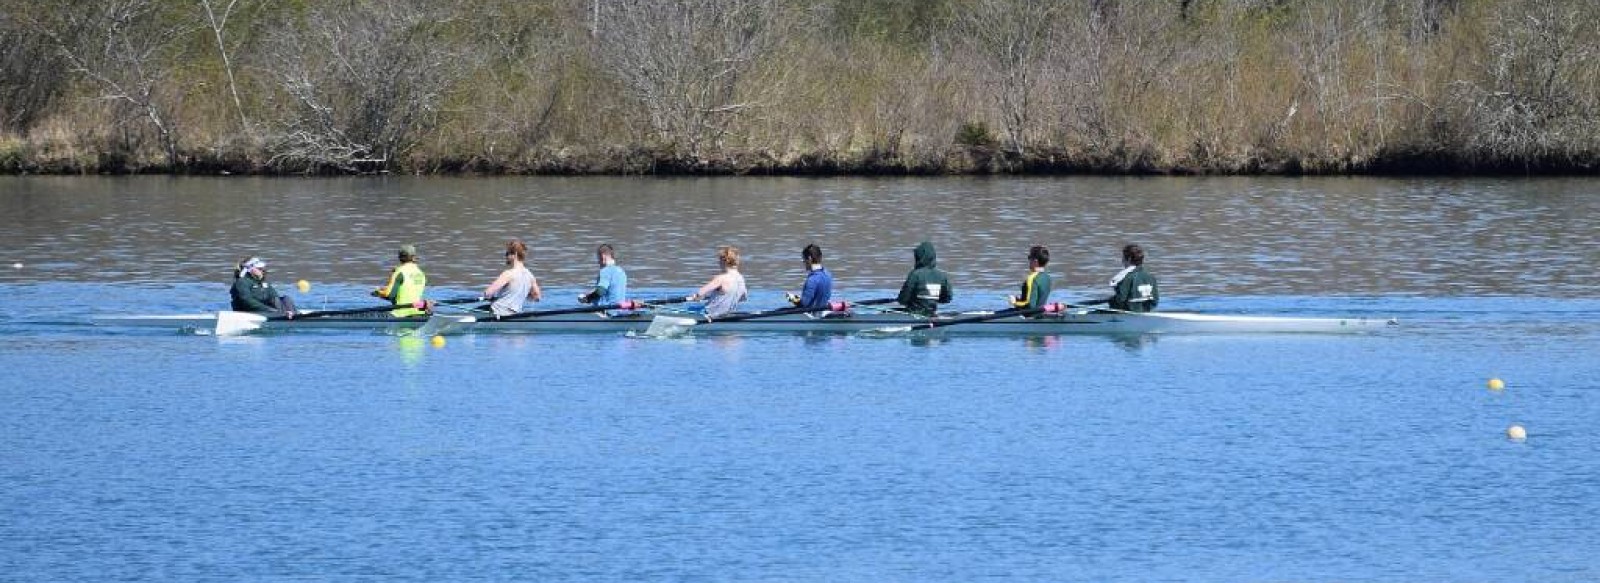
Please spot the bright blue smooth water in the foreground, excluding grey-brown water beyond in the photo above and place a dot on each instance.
(158, 456)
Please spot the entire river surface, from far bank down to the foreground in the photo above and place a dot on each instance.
(161, 456)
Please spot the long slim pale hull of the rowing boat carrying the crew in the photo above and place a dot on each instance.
(1070, 323)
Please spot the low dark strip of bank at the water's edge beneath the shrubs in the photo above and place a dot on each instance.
(954, 163)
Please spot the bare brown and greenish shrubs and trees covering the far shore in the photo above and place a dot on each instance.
(801, 87)
